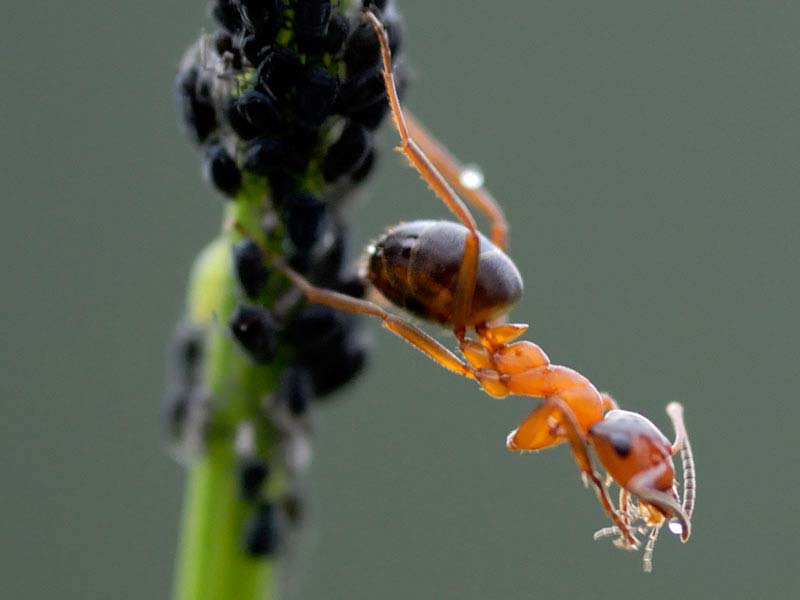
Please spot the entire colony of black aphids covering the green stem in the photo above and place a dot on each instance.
(282, 99)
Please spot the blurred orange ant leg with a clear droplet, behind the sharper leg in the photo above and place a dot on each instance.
(451, 170)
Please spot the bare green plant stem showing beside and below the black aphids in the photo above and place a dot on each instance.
(212, 563)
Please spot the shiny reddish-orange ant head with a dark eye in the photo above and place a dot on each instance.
(628, 445)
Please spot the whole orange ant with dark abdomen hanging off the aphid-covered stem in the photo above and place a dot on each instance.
(451, 274)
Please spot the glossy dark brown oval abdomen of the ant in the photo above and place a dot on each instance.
(415, 266)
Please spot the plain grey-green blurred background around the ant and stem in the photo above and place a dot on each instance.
(647, 154)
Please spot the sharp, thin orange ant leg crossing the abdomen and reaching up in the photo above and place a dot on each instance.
(467, 273)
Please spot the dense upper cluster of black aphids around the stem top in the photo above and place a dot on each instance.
(278, 83)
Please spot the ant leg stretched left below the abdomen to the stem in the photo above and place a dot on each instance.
(413, 335)
